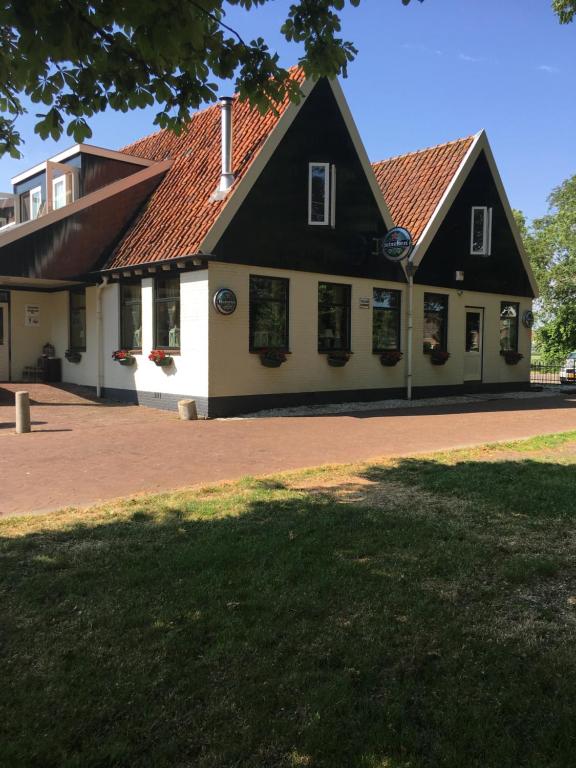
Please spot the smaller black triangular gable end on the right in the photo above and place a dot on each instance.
(503, 272)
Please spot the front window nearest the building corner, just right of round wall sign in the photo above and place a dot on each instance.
(268, 313)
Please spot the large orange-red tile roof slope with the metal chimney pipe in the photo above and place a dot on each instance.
(179, 213)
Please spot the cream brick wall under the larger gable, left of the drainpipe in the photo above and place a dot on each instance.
(235, 371)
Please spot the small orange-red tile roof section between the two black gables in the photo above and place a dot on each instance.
(414, 184)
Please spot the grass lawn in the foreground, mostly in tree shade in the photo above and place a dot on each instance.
(405, 614)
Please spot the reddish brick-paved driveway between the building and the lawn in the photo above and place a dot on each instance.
(82, 451)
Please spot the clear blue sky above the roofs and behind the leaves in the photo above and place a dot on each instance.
(425, 74)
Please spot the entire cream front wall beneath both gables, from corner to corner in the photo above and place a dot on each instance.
(235, 371)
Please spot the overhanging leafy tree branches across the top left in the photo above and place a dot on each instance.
(81, 57)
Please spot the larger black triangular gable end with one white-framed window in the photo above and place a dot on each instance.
(271, 227)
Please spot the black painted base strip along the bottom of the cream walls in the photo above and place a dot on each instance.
(219, 407)
